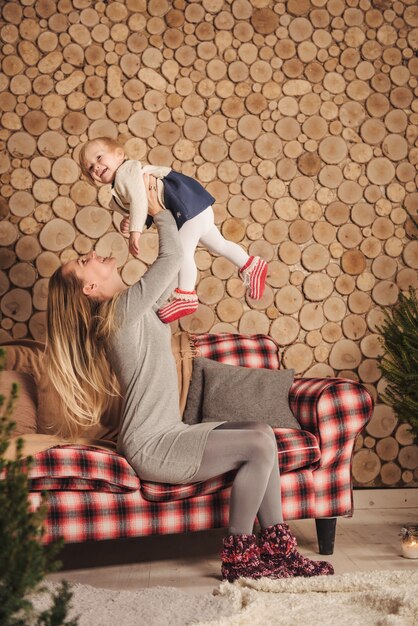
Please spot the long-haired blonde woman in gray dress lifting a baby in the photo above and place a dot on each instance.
(94, 318)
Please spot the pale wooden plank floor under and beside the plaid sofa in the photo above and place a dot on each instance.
(367, 541)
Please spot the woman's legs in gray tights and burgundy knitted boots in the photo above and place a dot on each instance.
(250, 447)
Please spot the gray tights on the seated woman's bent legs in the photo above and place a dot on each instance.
(250, 448)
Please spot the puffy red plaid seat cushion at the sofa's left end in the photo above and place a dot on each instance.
(81, 468)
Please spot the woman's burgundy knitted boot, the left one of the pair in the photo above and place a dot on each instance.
(241, 558)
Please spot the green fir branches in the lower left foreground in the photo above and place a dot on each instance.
(24, 560)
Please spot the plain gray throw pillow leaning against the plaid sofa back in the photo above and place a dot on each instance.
(220, 392)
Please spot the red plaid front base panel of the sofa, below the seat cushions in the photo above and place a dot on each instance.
(81, 516)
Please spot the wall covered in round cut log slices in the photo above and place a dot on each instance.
(299, 116)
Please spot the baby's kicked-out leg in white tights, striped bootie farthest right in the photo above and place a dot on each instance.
(253, 270)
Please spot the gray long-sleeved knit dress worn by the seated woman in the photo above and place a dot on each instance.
(154, 440)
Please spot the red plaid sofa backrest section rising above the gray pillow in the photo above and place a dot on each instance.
(235, 349)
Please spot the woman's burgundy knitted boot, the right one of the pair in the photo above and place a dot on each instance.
(278, 549)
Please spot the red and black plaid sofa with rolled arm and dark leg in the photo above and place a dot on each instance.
(93, 494)
